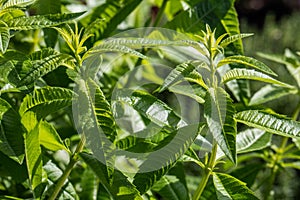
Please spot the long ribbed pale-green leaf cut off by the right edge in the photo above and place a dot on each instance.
(276, 124)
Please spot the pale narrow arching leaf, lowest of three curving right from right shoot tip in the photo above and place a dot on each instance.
(251, 75)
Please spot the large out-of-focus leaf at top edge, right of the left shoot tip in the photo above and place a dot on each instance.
(112, 14)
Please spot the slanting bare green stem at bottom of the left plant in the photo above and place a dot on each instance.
(61, 181)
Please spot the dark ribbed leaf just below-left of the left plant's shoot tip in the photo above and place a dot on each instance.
(41, 63)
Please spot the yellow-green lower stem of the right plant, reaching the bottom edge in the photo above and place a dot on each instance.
(207, 172)
